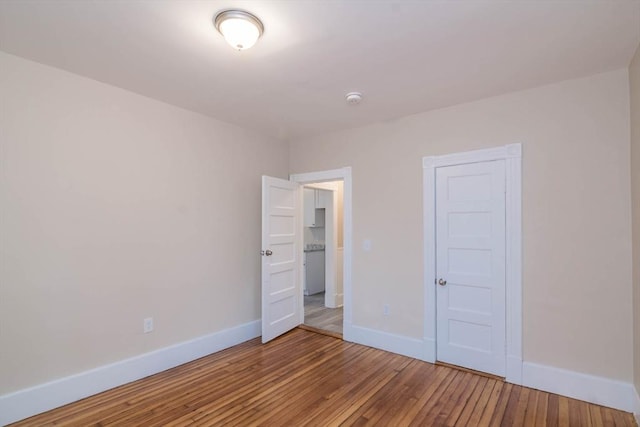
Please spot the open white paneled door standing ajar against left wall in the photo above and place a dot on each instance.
(281, 247)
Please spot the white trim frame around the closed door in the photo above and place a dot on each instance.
(512, 155)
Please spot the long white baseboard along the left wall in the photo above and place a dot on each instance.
(34, 400)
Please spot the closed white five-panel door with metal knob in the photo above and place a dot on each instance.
(470, 251)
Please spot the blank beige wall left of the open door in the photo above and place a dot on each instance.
(116, 207)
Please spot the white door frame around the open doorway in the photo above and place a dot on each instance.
(343, 174)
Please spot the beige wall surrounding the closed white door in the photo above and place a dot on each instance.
(576, 214)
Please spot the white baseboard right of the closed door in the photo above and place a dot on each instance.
(599, 390)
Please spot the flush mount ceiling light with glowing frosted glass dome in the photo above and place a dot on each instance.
(239, 28)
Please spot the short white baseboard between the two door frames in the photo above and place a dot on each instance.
(406, 346)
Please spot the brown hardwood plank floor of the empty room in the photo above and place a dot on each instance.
(308, 379)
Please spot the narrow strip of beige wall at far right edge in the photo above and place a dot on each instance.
(634, 82)
